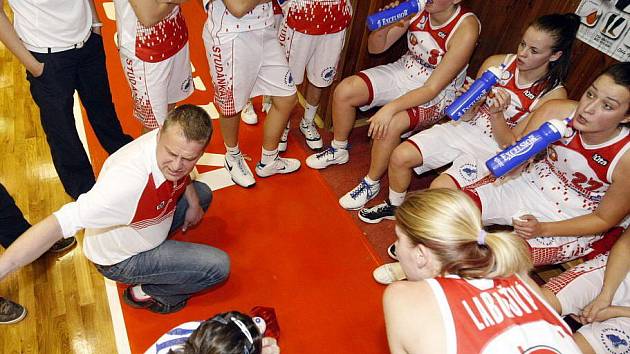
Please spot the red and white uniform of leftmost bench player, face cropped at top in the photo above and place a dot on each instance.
(427, 45)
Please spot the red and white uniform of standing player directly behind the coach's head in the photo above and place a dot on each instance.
(155, 61)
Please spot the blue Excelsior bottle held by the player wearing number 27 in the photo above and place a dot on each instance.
(526, 148)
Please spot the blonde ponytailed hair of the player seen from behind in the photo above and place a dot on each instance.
(448, 222)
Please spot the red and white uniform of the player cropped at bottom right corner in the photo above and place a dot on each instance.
(580, 285)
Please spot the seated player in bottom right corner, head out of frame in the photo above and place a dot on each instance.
(597, 294)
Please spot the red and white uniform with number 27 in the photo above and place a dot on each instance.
(569, 182)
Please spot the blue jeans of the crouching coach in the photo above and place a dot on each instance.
(174, 270)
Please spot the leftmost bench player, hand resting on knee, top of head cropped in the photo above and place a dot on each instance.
(413, 90)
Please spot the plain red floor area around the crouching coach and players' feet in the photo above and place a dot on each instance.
(292, 247)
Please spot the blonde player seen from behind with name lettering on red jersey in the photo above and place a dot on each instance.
(468, 290)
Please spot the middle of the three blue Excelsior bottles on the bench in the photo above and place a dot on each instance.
(478, 89)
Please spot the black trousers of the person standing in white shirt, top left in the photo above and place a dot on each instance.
(82, 70)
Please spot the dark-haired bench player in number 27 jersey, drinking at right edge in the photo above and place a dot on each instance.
(581, 188)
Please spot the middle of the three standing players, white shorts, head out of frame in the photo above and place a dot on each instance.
(246, 60)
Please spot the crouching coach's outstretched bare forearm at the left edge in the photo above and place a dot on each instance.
(30, 245)
